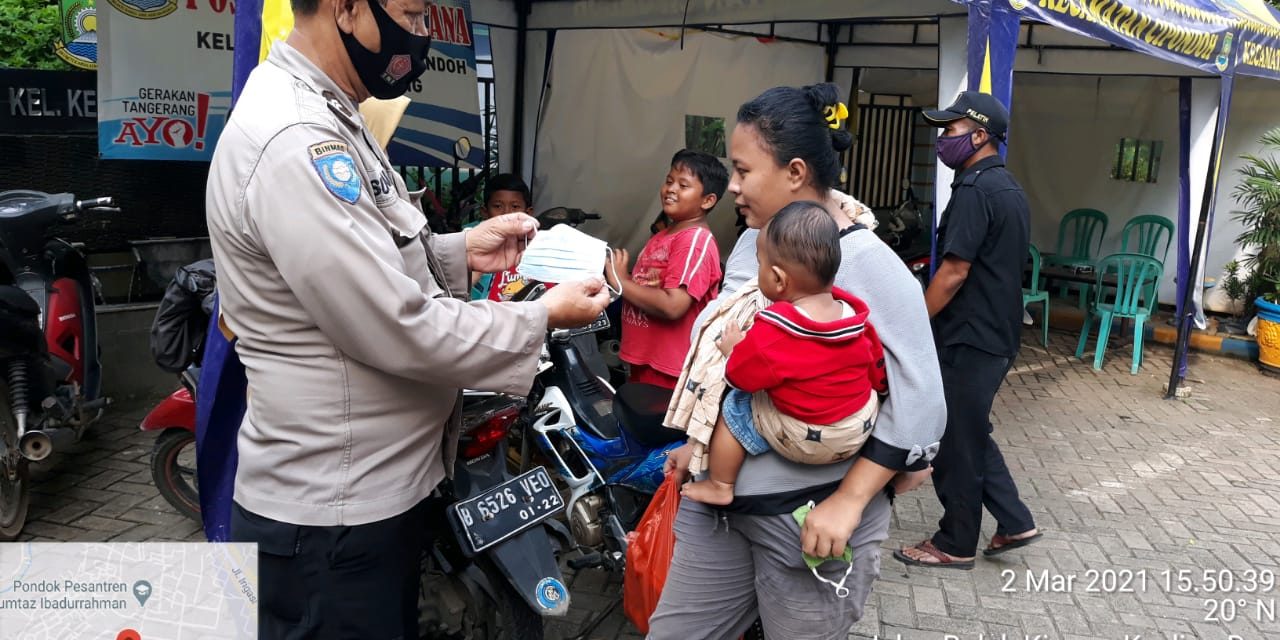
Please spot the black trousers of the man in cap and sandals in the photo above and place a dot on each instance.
(970, 472)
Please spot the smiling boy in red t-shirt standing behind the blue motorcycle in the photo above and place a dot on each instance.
(676, 275)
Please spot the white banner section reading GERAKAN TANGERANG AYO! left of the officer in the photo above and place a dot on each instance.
(164, 77)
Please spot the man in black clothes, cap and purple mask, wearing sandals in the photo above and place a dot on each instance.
(976, 300)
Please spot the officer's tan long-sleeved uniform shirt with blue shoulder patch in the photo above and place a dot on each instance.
(350, 316)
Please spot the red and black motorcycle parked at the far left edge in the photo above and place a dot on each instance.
(51, 372)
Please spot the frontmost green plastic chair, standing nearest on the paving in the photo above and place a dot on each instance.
(1137, 280)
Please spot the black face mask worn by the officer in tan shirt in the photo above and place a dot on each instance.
(403, 60)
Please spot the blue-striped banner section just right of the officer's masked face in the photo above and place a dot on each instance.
(446, 104)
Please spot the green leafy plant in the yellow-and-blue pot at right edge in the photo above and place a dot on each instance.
(1259, 194)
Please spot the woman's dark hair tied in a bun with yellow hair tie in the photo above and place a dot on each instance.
(792, 124)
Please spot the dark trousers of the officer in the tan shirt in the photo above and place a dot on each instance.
(337, 583)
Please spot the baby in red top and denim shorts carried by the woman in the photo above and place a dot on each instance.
(812, 353)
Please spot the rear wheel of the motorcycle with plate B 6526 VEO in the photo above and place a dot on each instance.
(451, 611)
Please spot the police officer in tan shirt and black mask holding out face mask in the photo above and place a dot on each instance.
(353, 324)
